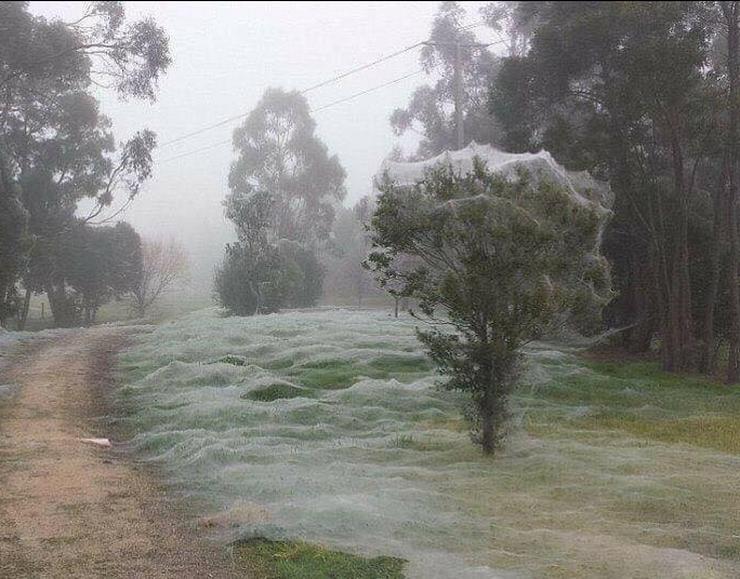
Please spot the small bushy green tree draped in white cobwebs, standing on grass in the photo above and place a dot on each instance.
(494, 263)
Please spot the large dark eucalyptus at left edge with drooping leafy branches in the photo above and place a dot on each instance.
(56, 146)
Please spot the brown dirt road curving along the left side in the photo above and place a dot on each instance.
(70, 509)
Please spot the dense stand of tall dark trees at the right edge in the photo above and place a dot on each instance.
(641, 93)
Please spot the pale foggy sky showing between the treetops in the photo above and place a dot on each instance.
(225, 54)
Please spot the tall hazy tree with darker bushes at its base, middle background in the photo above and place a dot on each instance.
(283, 189)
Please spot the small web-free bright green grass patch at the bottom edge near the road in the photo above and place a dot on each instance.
(297, 560)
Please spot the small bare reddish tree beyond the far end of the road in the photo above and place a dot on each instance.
(163, 264)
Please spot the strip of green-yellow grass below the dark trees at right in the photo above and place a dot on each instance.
(638, 399)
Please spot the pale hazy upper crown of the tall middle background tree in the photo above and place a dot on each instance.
(282, 162)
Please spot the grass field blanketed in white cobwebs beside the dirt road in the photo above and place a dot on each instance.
(327, 428)
